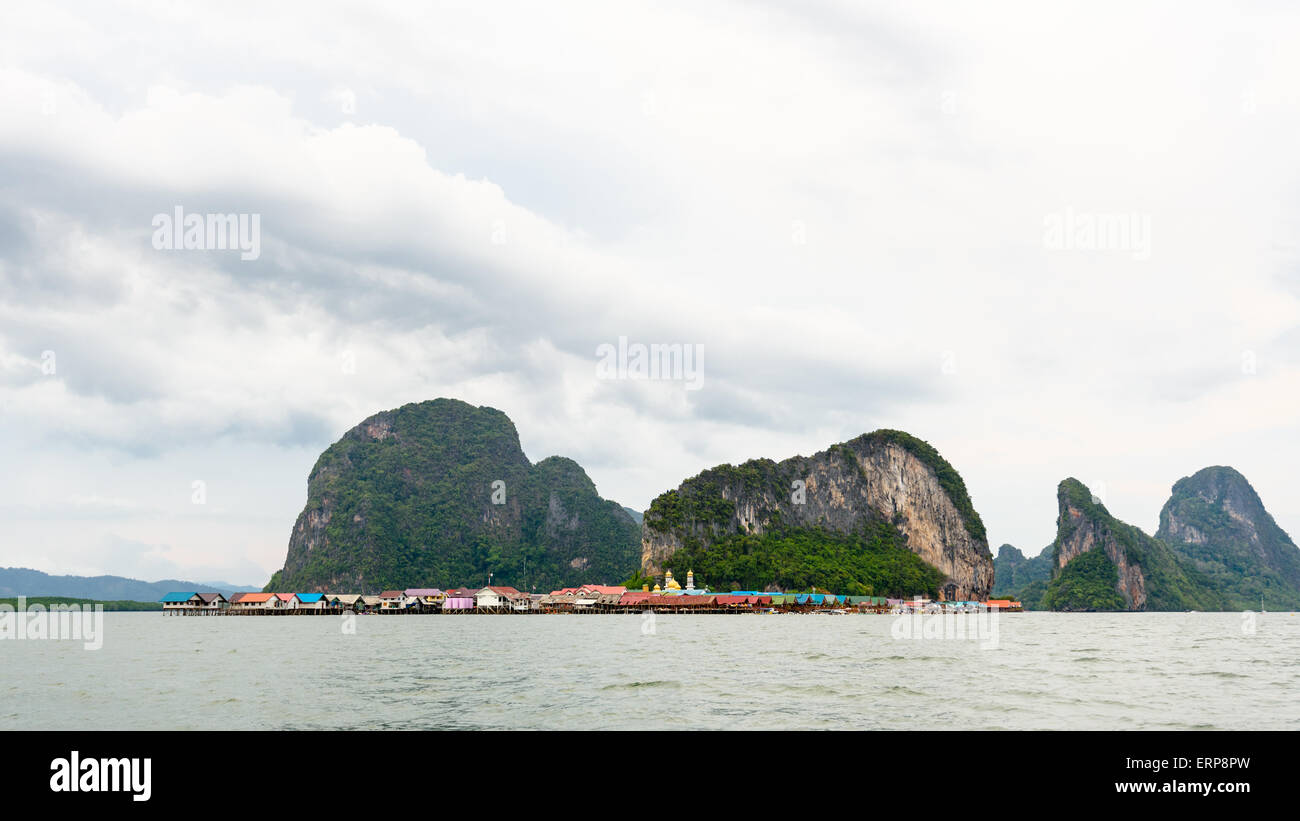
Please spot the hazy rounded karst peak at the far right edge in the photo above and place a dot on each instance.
(1217, 522)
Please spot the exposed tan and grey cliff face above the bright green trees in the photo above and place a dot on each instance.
(883, 477)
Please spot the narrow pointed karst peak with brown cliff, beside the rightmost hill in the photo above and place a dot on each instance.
(1104, 564)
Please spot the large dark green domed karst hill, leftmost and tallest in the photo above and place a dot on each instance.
(440, 494)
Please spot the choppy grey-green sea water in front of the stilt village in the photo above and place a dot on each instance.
(662, 672)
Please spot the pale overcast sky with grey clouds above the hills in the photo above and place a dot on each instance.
(1051, 242)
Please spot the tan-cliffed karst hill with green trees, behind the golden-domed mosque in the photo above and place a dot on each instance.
(889, 485)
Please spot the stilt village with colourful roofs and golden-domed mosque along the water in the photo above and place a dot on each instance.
(668, 598)
